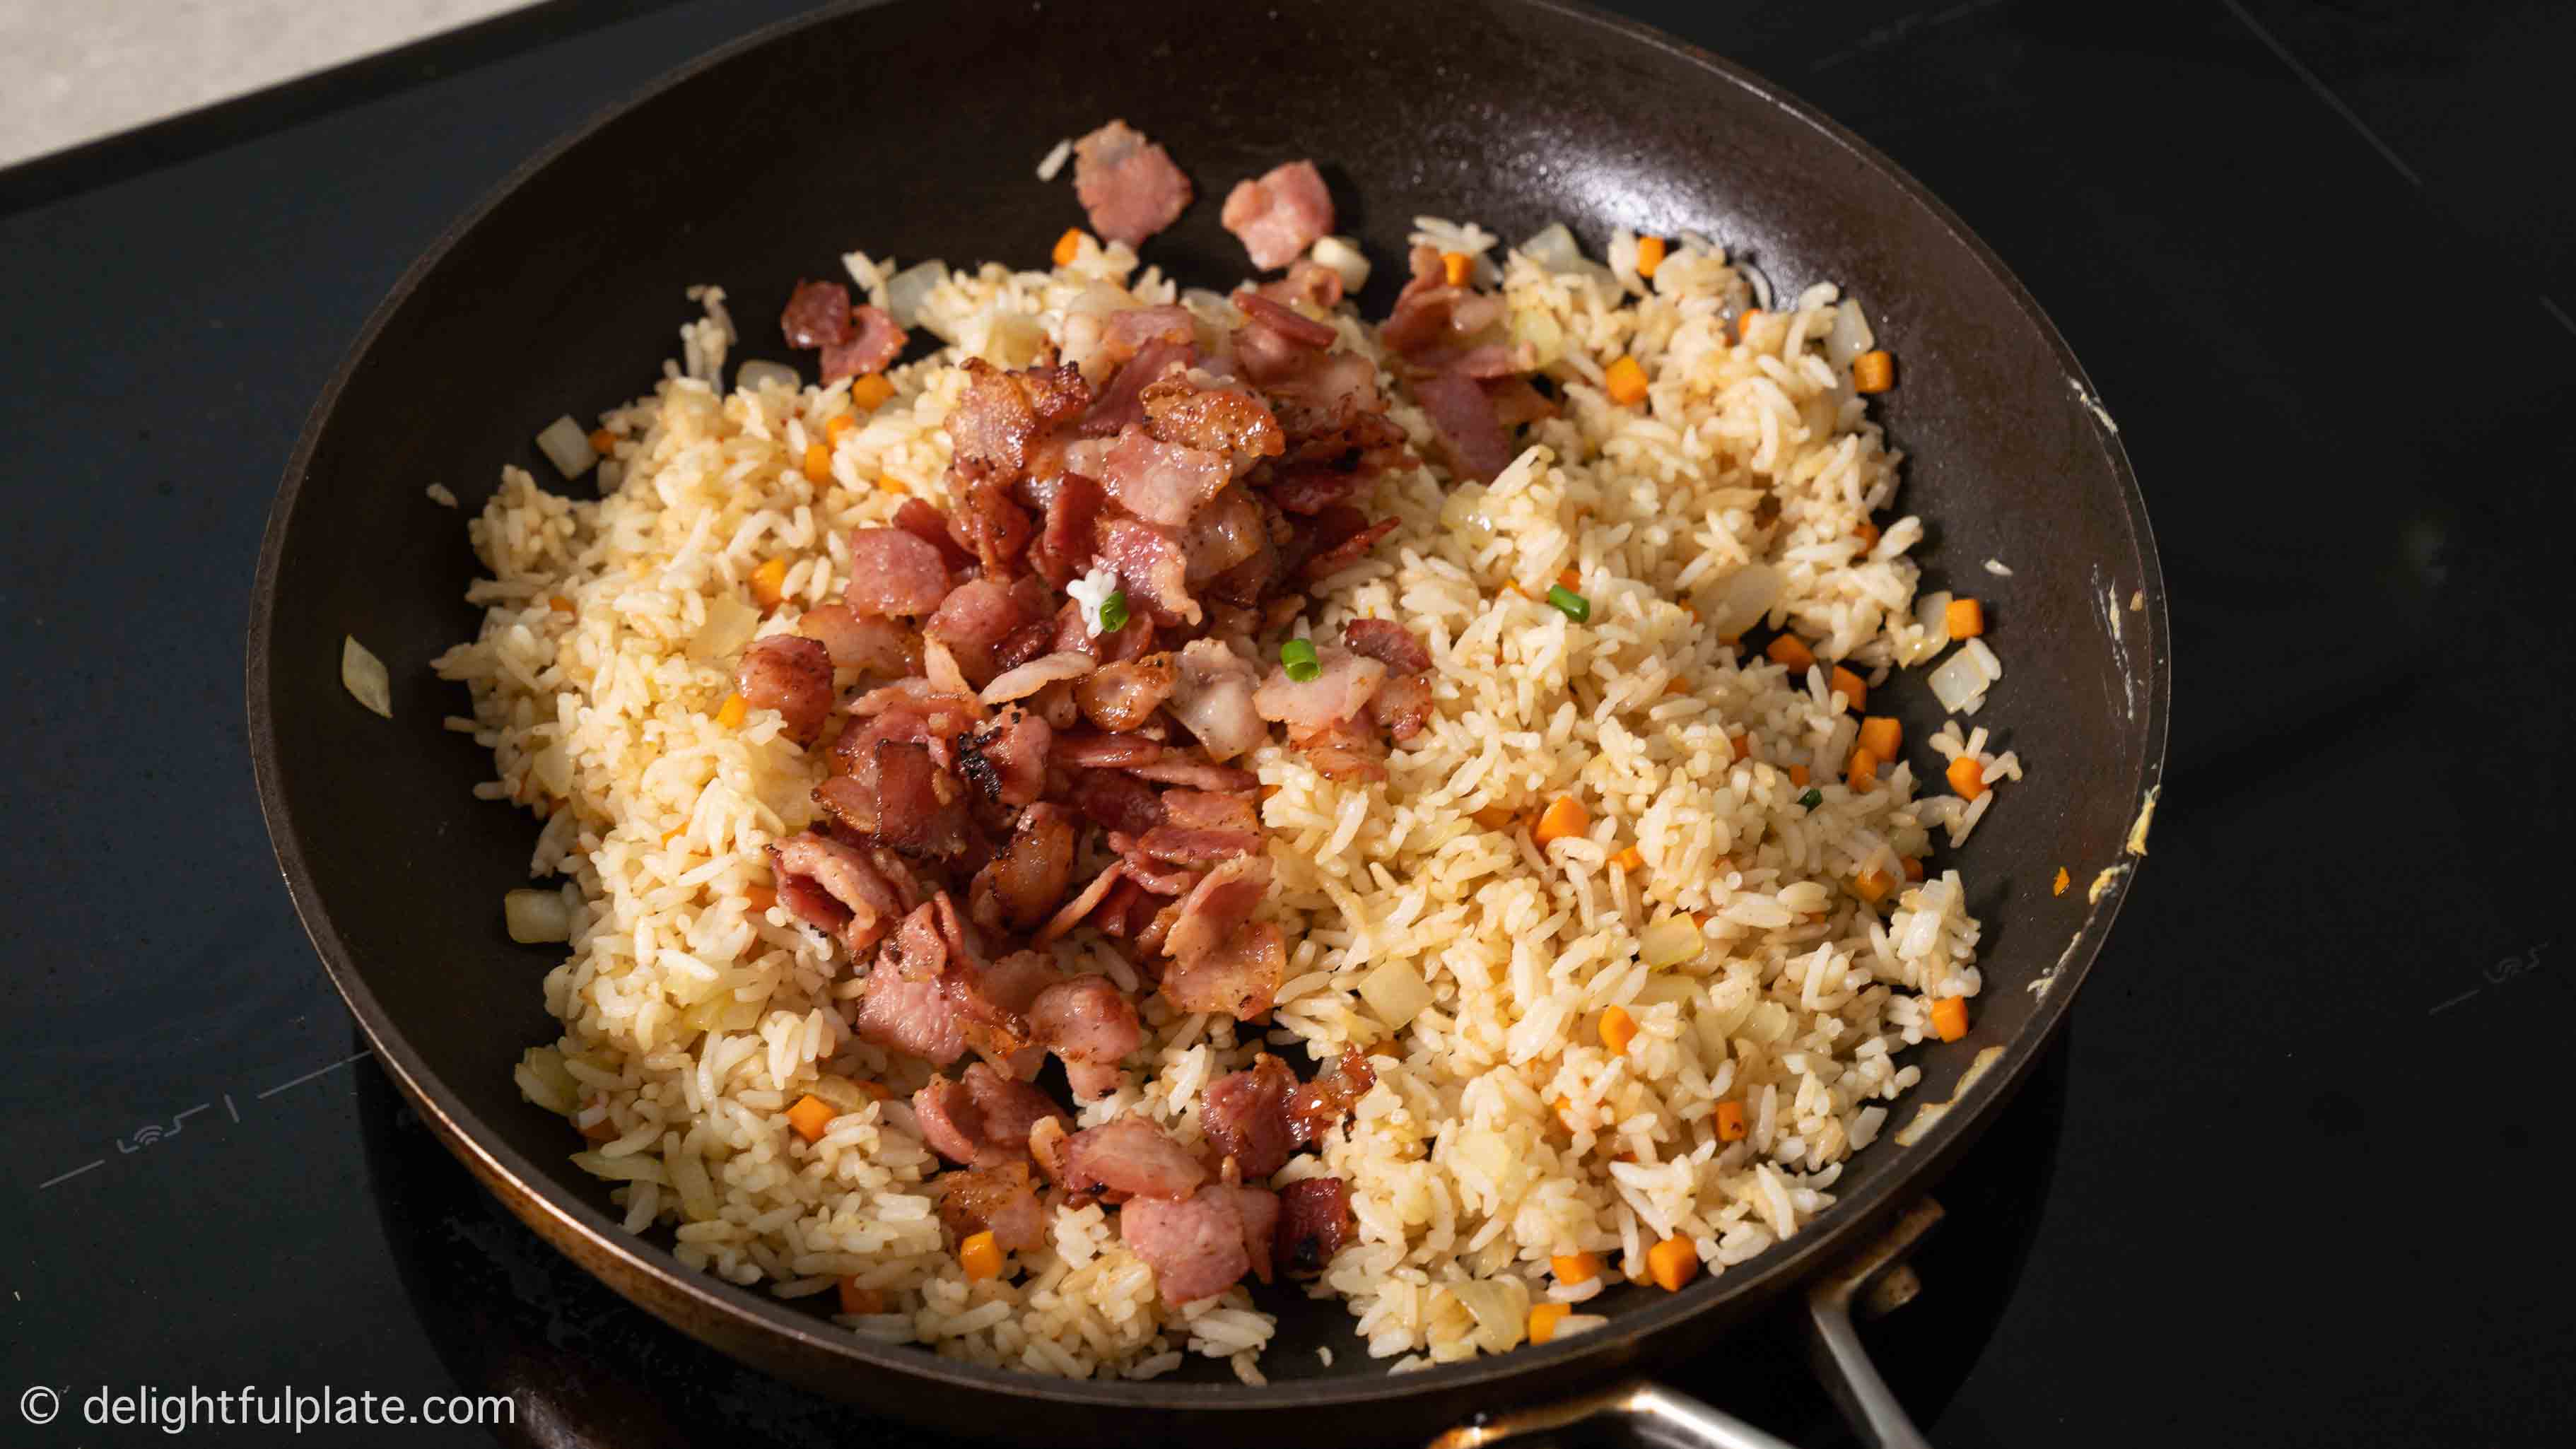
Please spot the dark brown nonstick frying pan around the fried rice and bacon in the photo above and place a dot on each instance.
(913, 130)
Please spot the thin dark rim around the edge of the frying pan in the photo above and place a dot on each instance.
(1750, 1283)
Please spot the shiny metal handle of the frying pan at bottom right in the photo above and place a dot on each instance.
(1671, 1419)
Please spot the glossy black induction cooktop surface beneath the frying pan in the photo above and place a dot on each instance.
(2284, 1183)
